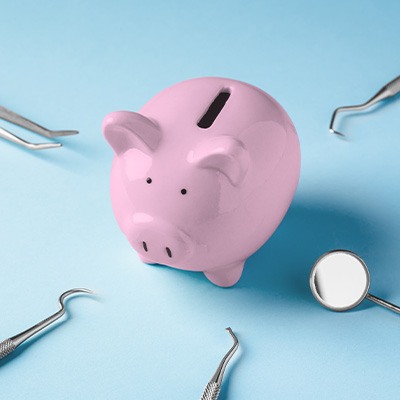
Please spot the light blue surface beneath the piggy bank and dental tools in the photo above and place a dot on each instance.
(155, 332)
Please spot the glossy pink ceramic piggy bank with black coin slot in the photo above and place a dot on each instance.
(202, 175)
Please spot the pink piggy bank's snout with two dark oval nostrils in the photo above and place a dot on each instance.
(159, 241)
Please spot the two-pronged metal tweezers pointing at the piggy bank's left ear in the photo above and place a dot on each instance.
(17, 119)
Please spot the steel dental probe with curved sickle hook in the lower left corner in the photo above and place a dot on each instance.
(9, 345)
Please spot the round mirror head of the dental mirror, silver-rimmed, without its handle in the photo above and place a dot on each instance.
(339, 280)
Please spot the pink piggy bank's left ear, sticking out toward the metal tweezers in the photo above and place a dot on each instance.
(125, 130)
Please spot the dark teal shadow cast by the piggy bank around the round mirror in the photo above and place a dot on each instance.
(281, 267)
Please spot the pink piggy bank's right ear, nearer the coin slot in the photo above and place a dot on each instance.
(224, 154)
